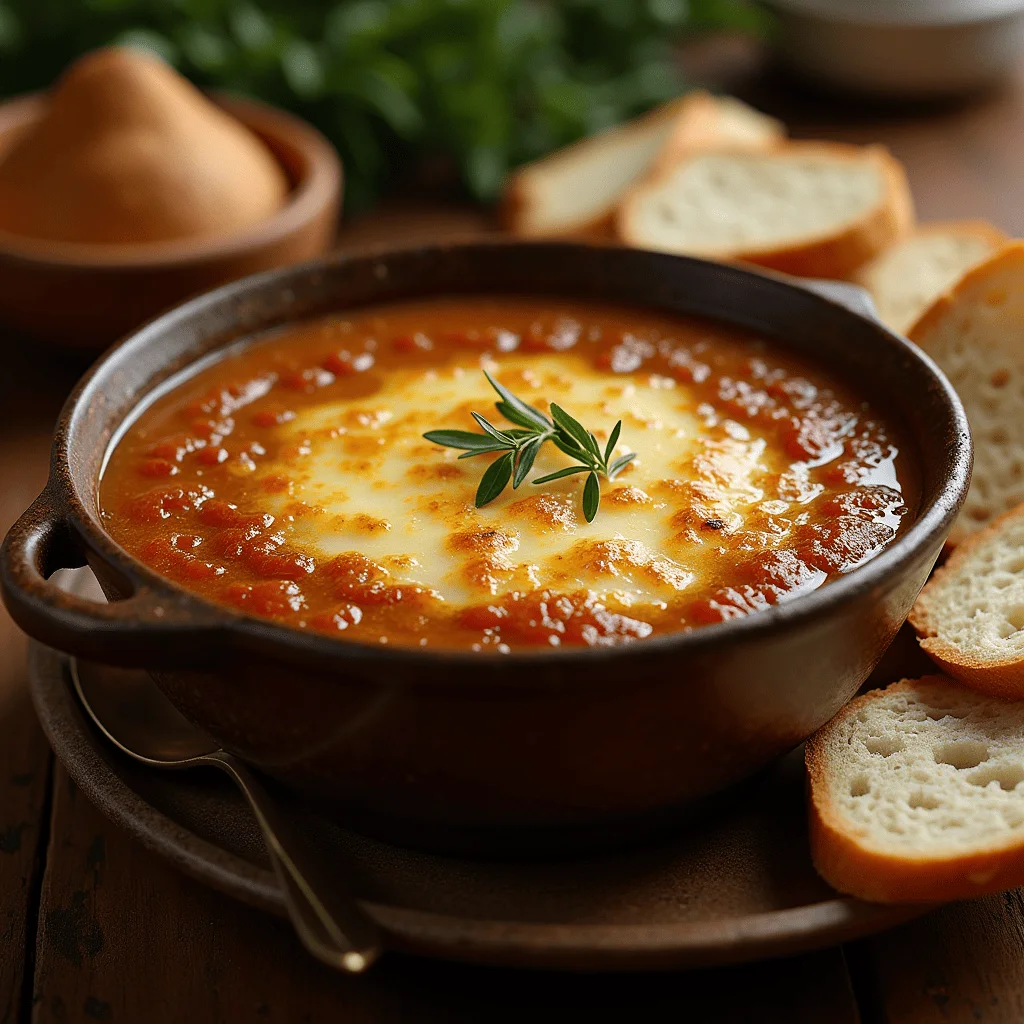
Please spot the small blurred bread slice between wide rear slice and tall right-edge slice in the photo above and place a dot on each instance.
(909, 278)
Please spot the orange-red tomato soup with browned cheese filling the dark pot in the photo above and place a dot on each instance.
(291, 478)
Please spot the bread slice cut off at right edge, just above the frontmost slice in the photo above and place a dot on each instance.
(970, 617)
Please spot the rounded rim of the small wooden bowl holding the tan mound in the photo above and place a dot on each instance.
(321, 184)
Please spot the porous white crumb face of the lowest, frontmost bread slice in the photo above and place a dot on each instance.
(926, 770)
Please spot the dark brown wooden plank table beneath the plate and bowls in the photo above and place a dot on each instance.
(94, 928)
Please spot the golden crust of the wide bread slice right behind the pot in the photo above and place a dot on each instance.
(836, 253)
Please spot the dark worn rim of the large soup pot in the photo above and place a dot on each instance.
(878, 575)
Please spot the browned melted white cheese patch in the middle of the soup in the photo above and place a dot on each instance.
(378, 488)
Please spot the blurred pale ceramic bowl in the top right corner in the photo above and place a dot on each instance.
(905, 50)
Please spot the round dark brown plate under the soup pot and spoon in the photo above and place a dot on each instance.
(739, 886)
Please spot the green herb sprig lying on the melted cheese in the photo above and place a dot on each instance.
(521, 446)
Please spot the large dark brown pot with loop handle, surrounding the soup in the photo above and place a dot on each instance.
(464, 750)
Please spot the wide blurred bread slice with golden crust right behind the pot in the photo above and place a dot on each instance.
(816, 209)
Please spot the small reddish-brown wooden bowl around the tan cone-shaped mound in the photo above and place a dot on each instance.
(87, 296)
